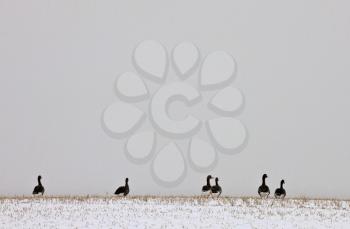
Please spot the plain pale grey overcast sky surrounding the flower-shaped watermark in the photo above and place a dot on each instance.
(59, 61)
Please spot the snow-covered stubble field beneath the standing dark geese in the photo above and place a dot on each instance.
(171, 212)
